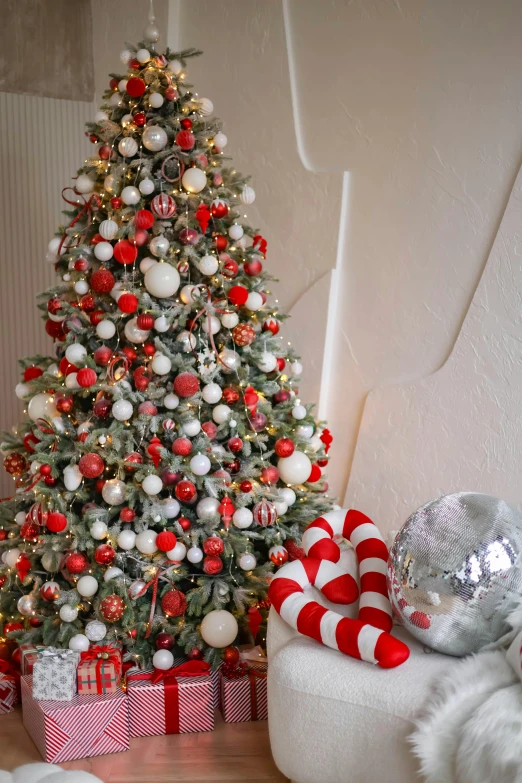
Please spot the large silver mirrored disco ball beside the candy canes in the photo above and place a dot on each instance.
(454, 571)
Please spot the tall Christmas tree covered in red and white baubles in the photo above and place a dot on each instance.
(165, 465)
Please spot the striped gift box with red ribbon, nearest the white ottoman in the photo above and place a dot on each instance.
(244, 692)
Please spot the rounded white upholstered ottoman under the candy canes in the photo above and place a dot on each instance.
(333, 719)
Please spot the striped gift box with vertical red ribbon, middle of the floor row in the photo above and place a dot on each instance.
(176, 701)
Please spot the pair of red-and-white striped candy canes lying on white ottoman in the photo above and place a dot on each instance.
(366, 638)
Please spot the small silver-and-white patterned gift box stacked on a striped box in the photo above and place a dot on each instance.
(54, 674)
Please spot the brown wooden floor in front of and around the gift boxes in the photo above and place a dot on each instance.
(235, 752)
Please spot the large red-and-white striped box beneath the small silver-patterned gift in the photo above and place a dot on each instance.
(84, 727)
